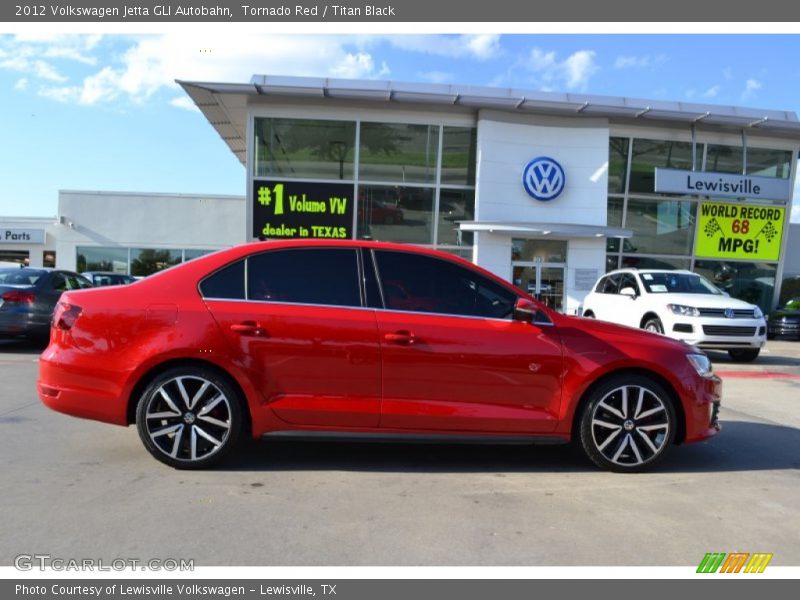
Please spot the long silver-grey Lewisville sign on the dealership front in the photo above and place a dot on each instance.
(724, 185)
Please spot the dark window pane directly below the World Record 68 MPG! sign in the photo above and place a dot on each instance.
(752, 282)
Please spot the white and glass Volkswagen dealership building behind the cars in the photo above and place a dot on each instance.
(547, 190)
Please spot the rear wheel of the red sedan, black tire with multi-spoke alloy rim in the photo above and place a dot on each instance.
(189, 417)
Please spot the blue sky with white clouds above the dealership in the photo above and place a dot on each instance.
(103, 112)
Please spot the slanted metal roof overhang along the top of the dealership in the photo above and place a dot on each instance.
(225, 104)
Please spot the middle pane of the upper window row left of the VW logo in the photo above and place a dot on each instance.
(398, 153)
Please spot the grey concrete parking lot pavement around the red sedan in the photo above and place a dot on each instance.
(78, 489)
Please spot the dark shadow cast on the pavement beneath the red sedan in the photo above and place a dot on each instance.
(742, 446)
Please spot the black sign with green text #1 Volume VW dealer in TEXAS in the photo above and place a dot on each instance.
(296, 209)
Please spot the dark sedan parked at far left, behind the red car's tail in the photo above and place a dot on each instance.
(28, 297)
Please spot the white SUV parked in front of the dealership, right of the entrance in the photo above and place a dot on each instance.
(682, 305)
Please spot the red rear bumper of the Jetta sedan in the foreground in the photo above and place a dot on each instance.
(85, 391)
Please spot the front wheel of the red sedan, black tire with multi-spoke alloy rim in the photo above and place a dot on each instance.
(627, 435)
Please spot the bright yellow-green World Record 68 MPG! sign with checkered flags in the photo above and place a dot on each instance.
(739, 231)
